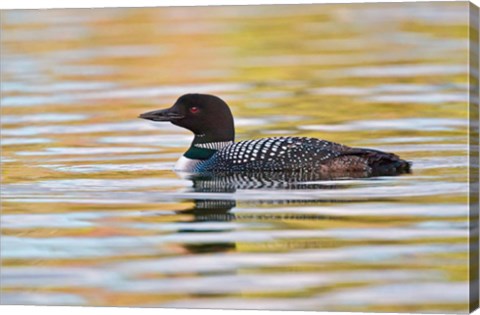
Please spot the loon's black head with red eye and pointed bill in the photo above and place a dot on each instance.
(207, 116)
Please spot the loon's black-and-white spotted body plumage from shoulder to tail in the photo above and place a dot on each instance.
(294, 154)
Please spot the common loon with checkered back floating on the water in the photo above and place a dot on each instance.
(213, 148)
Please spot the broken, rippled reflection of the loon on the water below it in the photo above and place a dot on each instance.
(218, 200)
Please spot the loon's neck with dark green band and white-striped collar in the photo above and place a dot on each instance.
(204, 146)
